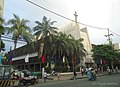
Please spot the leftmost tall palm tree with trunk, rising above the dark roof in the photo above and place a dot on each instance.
(19, 30)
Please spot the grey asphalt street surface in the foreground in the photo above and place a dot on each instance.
(103, 81)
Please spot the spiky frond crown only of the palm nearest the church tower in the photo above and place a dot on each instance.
(44, 28)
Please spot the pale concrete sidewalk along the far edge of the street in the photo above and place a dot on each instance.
(65, 77)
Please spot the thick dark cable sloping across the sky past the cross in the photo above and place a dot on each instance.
(62, 15)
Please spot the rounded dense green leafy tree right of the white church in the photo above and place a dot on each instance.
(104, 52)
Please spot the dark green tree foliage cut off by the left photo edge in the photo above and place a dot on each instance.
(2, 30)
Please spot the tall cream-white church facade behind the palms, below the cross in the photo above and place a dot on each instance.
(78, 33)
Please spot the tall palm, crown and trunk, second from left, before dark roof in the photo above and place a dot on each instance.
(45, 30)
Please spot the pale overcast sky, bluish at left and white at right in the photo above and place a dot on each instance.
(97, 13)
